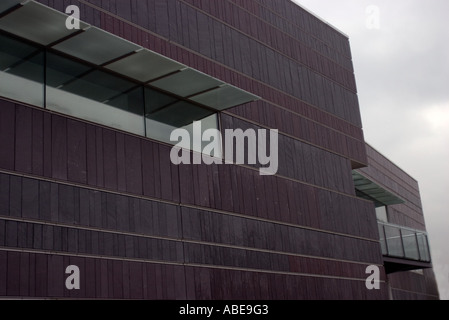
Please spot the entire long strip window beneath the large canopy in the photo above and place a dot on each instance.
(50, 79)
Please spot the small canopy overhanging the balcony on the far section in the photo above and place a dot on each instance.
(374, 191)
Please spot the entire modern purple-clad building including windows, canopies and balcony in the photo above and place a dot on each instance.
(86, 177)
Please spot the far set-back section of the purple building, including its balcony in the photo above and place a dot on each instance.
(402, 230)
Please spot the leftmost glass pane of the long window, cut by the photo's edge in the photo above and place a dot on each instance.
(21, 71)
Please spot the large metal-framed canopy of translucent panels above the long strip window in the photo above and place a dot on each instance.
(43, 25)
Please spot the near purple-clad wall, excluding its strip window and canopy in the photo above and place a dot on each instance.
(112, 203)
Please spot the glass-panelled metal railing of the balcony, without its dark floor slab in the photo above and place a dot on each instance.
(401, 242)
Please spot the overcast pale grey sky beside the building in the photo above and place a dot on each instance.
(402, 73)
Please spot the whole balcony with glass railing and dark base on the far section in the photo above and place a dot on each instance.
(403, 248)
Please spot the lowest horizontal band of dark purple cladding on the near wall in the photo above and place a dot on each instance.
(42, 275)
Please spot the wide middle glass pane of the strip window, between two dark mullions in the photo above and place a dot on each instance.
(82, 91)
